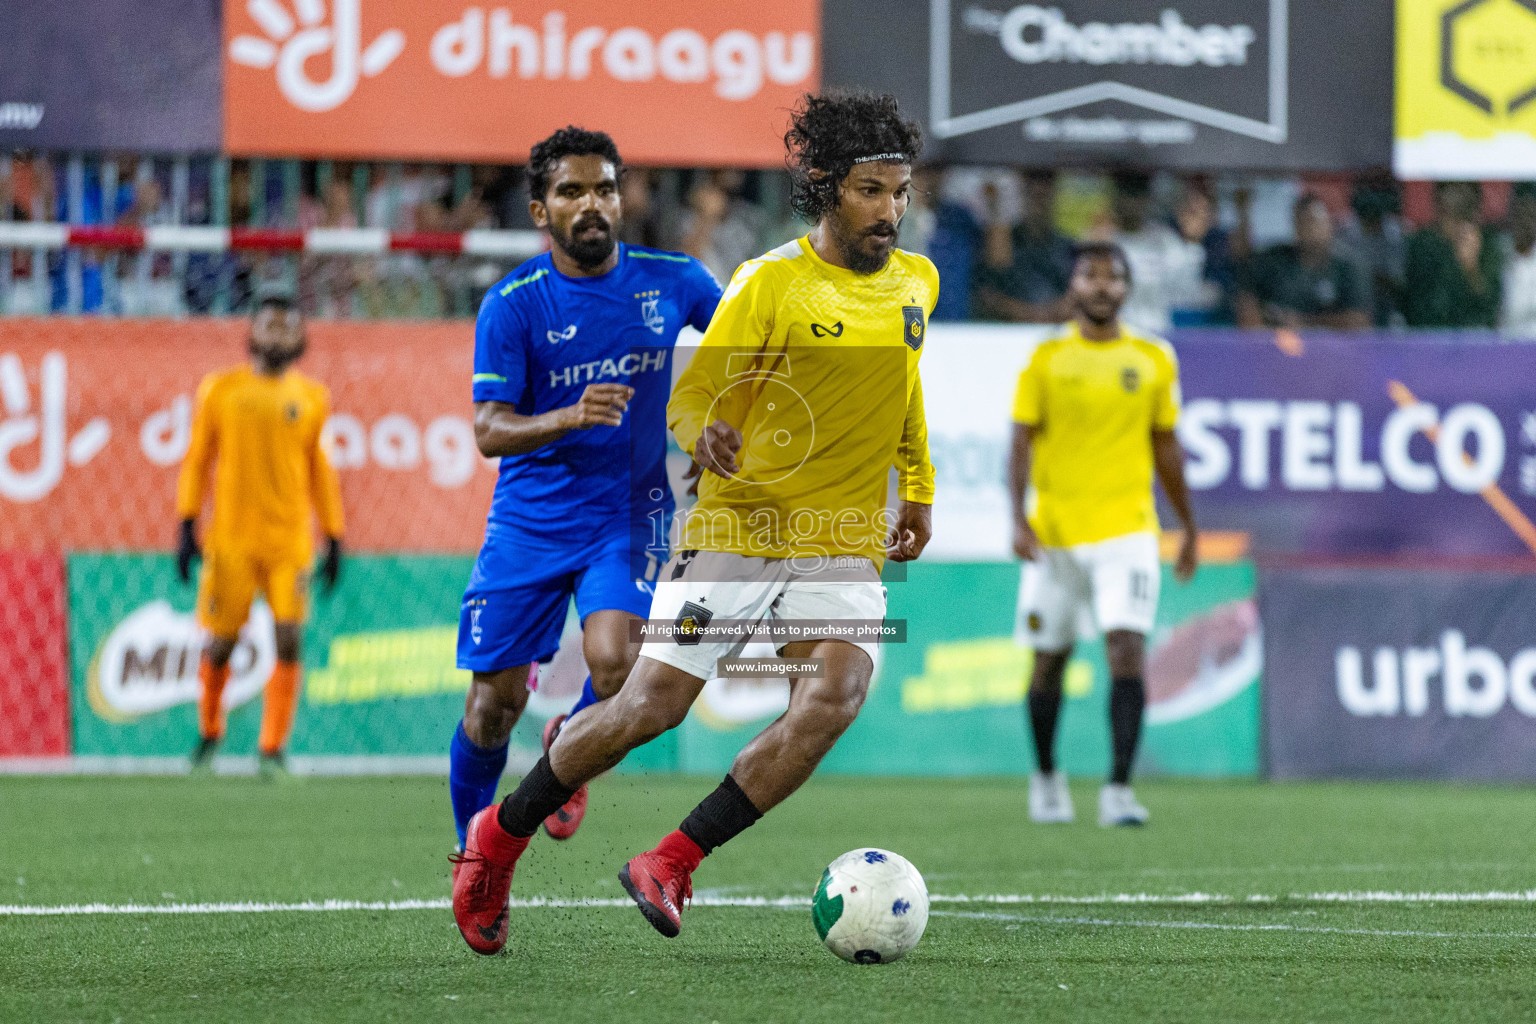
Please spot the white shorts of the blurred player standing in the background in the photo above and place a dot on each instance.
(1114, 581)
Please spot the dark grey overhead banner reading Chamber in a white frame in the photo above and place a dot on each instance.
(1179, 84)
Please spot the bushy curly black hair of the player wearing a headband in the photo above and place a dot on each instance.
(830, 133)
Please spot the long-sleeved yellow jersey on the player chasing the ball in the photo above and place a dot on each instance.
(816, 366)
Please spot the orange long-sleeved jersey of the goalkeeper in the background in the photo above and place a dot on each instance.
(262, 434)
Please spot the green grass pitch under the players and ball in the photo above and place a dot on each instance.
(1280, 934)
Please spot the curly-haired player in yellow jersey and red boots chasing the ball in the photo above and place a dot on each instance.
(799, 401)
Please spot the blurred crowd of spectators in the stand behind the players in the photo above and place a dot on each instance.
(1337, 254)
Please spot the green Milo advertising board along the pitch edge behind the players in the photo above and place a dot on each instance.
(382, 679)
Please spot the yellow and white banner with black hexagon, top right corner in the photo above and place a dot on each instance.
(1466, 90)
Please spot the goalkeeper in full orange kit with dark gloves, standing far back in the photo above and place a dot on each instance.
(259, 428)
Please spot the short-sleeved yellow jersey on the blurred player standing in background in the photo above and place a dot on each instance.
(1094, 406)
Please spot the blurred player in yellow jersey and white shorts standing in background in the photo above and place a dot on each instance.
(1093, 421)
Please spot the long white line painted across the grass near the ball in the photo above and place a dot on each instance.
(1110, 899)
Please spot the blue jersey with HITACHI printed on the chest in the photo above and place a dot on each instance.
(540, 340)
